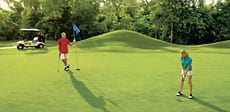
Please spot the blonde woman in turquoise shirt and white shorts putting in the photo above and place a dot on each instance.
(186, 68)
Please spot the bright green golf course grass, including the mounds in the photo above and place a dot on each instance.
(116, 76)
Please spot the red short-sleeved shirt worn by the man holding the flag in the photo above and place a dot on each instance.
(63, 45)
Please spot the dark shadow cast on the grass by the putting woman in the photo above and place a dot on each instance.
(208, 105)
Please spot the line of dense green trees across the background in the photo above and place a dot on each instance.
(176, 21)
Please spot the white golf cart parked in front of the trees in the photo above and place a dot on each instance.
(30, 38)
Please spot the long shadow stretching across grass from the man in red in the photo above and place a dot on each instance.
(86, 93)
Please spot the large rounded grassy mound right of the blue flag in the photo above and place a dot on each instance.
(122, 39)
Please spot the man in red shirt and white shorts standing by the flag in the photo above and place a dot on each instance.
(63, 43)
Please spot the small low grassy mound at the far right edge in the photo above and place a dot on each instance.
(223, 44)
